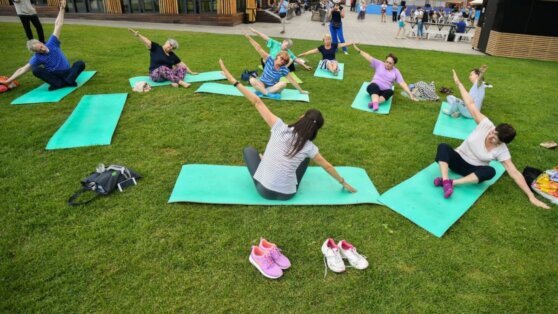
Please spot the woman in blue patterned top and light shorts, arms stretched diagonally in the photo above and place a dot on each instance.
(269, 83)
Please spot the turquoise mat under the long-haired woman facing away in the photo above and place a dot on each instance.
(215, 184)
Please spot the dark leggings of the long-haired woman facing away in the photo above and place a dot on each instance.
(252, 160)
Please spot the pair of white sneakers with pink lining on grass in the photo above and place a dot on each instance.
(334, 254)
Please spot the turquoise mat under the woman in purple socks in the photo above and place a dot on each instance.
(424, 204)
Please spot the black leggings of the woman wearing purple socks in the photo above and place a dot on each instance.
(447, 154)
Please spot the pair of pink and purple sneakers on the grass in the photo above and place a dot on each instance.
(268, 259)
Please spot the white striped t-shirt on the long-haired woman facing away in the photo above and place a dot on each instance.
(277, 171)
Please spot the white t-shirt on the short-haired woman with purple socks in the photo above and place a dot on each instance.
(473, 150)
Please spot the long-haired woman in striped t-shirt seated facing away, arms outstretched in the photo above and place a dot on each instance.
(278, 172)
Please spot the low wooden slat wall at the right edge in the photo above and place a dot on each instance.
(523, 46)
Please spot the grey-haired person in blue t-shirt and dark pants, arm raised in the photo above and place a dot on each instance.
(49, 62)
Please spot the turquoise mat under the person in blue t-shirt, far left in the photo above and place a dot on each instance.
(42, 94)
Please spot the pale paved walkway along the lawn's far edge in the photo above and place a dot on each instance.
(370, 31)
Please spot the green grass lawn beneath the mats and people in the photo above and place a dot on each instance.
(133, 252)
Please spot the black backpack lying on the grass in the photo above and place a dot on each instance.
(104, 181)
